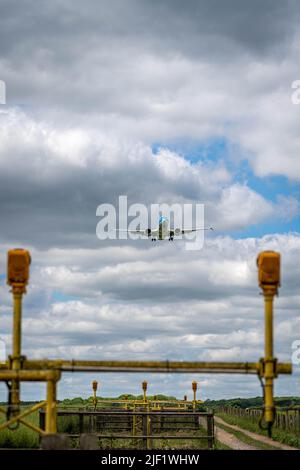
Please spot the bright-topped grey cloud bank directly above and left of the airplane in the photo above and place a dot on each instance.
(64, 174)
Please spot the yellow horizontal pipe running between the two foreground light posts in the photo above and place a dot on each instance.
(150, 366)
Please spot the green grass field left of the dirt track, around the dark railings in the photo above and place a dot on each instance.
(26, 438)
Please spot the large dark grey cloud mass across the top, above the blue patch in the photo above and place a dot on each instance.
(197, 73)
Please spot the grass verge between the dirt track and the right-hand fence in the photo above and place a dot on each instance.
(280, 435)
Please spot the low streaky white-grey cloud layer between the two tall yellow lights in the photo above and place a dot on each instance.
(205, 306)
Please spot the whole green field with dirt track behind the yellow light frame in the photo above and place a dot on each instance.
(115, 431)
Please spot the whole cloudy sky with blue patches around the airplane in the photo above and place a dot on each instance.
(164, 102)
